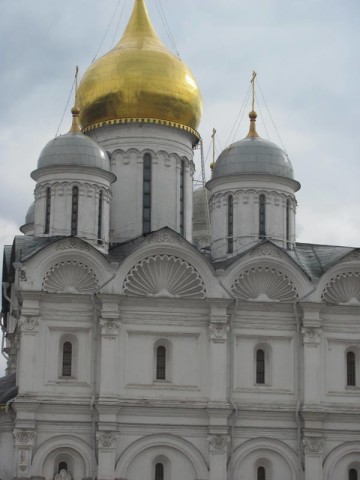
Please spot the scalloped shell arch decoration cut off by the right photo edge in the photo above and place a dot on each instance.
(343, 289)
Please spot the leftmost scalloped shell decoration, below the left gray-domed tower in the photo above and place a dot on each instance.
(70, 277)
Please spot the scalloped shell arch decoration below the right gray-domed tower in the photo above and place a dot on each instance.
(264, 284)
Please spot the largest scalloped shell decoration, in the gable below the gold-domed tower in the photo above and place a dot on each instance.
(164, 276)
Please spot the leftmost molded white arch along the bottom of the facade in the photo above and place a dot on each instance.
(50, 451)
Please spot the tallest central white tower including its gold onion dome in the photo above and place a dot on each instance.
(142, 105)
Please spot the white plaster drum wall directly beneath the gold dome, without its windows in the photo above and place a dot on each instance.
(127, 145)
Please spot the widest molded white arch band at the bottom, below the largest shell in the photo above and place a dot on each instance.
(157, 440)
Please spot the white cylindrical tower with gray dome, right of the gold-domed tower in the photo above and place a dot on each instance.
(252, 196)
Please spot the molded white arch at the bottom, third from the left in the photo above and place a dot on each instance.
(264, 448)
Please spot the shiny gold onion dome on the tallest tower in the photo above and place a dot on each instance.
(139, 80)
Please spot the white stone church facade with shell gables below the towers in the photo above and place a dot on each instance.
(209, 418)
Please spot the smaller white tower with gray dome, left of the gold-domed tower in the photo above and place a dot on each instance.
(72, 194)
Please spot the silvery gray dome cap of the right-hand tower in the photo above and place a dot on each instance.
(253, 155)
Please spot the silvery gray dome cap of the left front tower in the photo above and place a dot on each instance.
(73, 148)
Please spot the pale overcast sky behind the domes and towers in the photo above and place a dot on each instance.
(306, 54)
